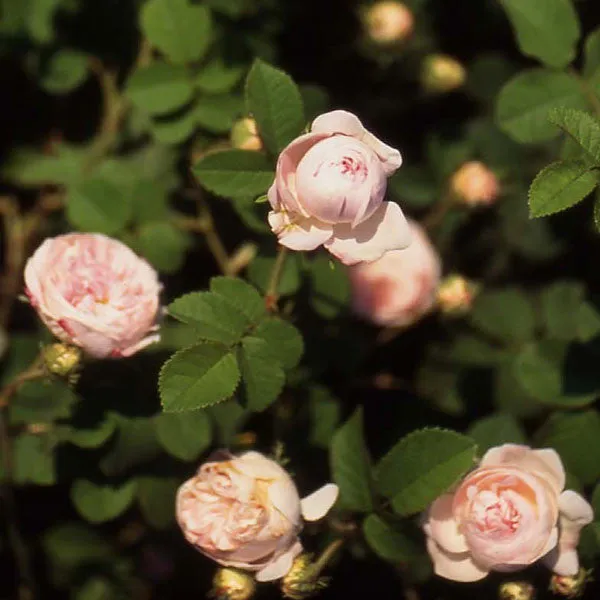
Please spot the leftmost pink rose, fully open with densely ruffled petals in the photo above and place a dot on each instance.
(94, 292)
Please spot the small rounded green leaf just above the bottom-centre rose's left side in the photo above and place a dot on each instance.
(184, 435)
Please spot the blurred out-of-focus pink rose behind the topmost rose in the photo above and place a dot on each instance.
(400, 287)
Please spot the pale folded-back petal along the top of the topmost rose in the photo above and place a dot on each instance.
(341, 121)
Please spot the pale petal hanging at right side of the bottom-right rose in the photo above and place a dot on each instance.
(575, 513)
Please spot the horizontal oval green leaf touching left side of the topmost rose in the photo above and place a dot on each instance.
(234, 173)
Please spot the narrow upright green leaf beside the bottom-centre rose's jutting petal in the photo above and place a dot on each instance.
(351, 465)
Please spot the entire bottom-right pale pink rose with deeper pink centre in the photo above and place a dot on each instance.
(507, 514)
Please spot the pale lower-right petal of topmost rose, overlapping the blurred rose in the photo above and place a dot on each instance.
(386, 230)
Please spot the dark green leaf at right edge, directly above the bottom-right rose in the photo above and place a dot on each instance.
(575, 437)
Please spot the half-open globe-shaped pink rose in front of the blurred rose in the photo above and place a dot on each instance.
(329, 189)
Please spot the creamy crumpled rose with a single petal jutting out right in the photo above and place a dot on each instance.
(245, 512)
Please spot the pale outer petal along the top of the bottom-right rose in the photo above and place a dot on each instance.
(545, 463)
